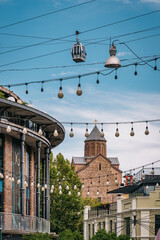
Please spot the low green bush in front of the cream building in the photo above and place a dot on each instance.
(103, 235)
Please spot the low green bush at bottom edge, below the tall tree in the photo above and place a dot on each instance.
(67, 234)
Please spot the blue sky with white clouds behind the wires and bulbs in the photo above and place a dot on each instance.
(129, 98)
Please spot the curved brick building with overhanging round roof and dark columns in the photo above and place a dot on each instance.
(27, 136)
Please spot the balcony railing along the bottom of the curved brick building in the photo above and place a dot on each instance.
(17, 222)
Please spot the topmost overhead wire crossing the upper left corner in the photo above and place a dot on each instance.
(46, 14)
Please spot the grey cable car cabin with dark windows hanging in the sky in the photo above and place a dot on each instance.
(78, 52)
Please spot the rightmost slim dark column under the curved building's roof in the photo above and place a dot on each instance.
(47, 182)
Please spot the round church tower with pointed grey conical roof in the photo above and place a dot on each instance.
(94, 145)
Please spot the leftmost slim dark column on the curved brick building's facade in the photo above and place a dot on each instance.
(22, 138)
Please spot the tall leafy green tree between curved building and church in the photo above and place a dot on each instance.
(65, 210)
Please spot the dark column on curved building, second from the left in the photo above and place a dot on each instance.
(38, 179)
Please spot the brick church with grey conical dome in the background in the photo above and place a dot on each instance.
(98, 173)
